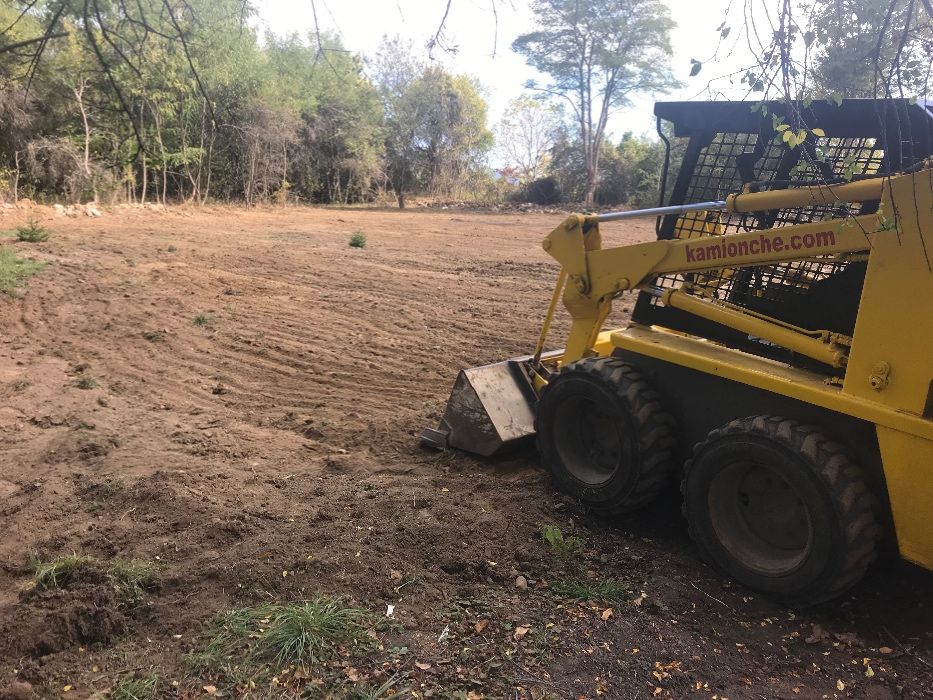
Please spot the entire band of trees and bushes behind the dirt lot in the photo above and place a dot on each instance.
(183, 100)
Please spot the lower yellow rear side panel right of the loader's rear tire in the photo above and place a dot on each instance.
(908, 469)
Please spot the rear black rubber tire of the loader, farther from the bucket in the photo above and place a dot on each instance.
(807, 550)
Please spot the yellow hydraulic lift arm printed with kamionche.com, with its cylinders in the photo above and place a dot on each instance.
(596, 276)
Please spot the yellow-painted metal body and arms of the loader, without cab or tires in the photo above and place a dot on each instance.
(882, 374)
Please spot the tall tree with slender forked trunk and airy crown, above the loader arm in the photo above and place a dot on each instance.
(598, 53)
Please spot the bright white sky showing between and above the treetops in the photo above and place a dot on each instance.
(471, 27)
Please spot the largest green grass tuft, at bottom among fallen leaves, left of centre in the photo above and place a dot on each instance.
(256, 641)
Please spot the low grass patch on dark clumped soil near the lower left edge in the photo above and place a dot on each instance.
(129, 577)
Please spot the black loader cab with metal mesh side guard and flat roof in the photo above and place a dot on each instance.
(731, 146)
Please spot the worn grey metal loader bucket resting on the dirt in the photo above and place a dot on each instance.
(490, 408)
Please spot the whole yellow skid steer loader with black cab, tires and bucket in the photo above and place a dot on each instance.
(779, 362)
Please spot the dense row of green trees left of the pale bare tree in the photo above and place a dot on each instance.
(226, 114)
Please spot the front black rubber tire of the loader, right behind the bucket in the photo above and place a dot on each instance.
(603, 434)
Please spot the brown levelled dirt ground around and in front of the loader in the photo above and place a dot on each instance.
(271, 453)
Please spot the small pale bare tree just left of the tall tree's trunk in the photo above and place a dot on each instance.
(526, 134)
